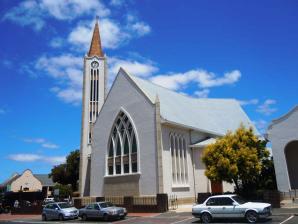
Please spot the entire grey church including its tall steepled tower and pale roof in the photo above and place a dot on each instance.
(144, 139)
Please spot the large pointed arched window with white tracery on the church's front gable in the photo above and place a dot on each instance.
(122, 147)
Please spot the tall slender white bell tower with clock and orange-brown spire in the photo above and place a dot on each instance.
(94, 94)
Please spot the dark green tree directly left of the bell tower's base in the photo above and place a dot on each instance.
(67, 173)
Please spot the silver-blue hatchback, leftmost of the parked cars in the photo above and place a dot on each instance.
(59, 210)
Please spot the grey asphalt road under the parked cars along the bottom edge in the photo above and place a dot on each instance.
(171, 218)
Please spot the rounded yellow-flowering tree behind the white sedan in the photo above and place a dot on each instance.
(236, 158)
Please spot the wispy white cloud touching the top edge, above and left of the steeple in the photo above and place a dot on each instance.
(33, 13)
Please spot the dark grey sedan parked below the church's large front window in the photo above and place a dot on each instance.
(104, 210)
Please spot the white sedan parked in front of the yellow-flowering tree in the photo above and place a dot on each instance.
(230, 206)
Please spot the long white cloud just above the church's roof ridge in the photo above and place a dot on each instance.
(203, 78)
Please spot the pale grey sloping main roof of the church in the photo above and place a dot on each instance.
(215, 116)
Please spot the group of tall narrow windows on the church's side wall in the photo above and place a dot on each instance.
(179, 159)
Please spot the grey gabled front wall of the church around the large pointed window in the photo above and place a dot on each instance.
(125, 102)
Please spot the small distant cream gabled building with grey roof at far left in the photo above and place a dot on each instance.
(28, 182)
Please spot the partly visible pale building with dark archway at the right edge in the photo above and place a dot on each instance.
(283, 134)
